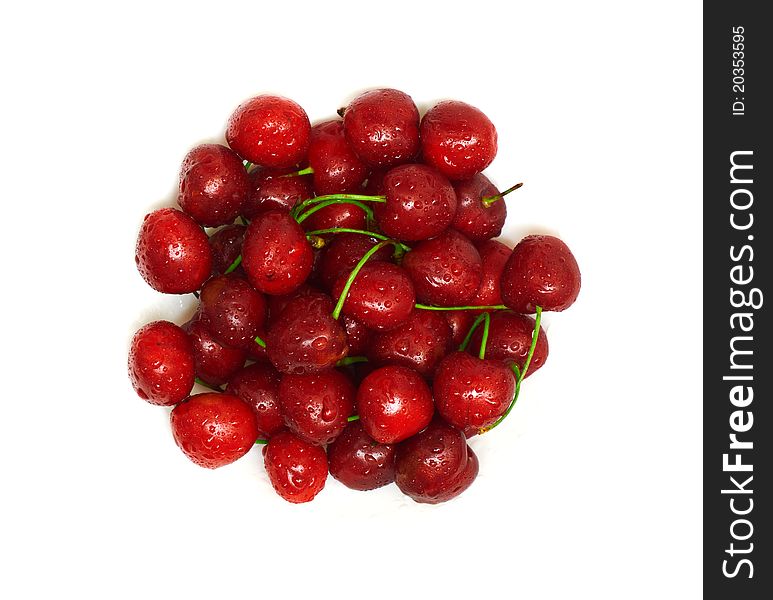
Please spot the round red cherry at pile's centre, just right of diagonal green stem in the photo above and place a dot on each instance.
(381, 296)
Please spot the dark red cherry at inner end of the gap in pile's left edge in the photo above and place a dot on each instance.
(233, 310)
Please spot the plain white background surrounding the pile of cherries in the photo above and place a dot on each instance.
(591, 489)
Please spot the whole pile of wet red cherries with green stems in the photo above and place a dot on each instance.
(355, 314)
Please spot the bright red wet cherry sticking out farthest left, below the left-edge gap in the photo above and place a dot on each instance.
(161, 363)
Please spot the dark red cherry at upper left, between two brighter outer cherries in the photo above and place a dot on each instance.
(213, 185)
